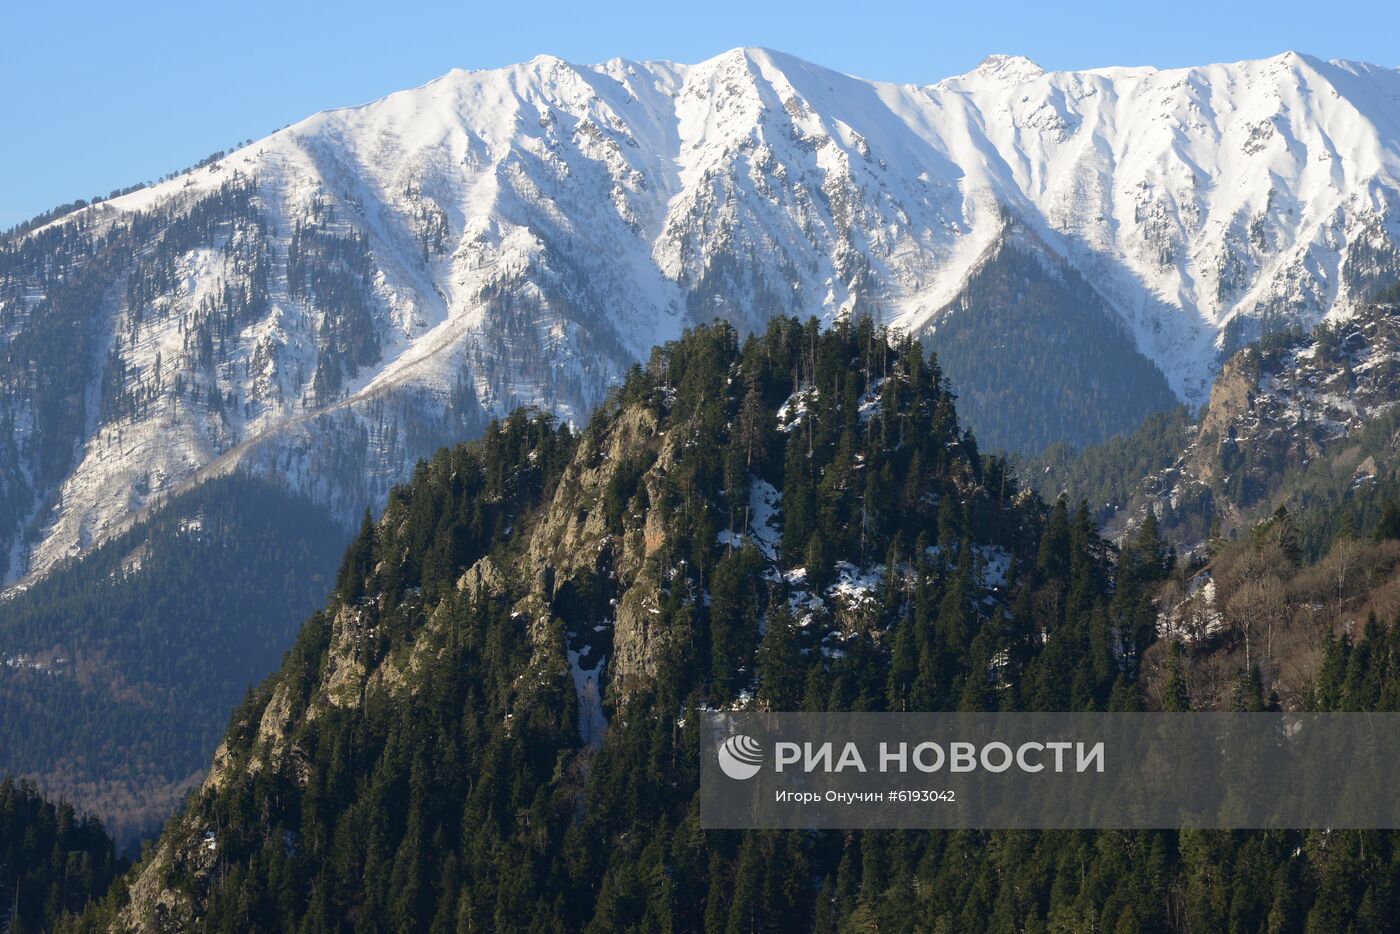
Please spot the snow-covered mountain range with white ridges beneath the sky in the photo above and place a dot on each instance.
(331, 303)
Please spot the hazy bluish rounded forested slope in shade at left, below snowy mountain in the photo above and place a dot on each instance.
(120, 669)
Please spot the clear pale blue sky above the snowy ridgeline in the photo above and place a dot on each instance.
(97, 96)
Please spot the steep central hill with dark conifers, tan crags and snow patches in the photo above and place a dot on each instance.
(493, 723)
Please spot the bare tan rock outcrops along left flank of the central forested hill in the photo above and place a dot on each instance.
(570, 538)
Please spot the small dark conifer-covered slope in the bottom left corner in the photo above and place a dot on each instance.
(51, 860)
